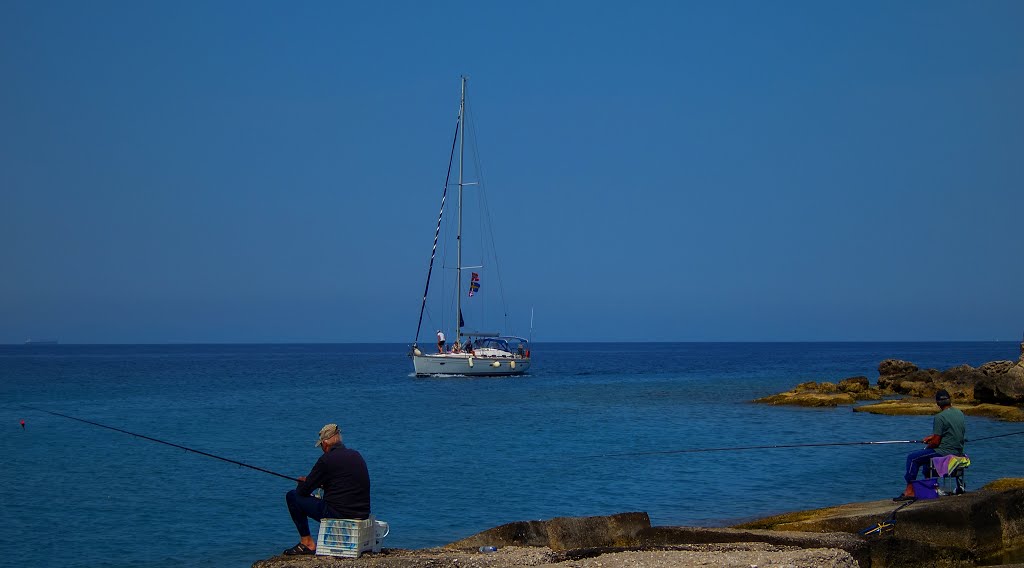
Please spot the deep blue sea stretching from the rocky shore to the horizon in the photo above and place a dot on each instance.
(448, 457)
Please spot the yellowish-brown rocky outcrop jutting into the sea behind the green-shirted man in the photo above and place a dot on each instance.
(994, 390)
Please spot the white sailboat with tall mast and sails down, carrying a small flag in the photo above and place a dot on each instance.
(466, 352)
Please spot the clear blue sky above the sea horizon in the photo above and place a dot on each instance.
(659, 171)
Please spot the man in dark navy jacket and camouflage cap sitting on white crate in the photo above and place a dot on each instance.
(342, 472)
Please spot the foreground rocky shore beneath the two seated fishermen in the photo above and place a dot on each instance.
(980, 529)
